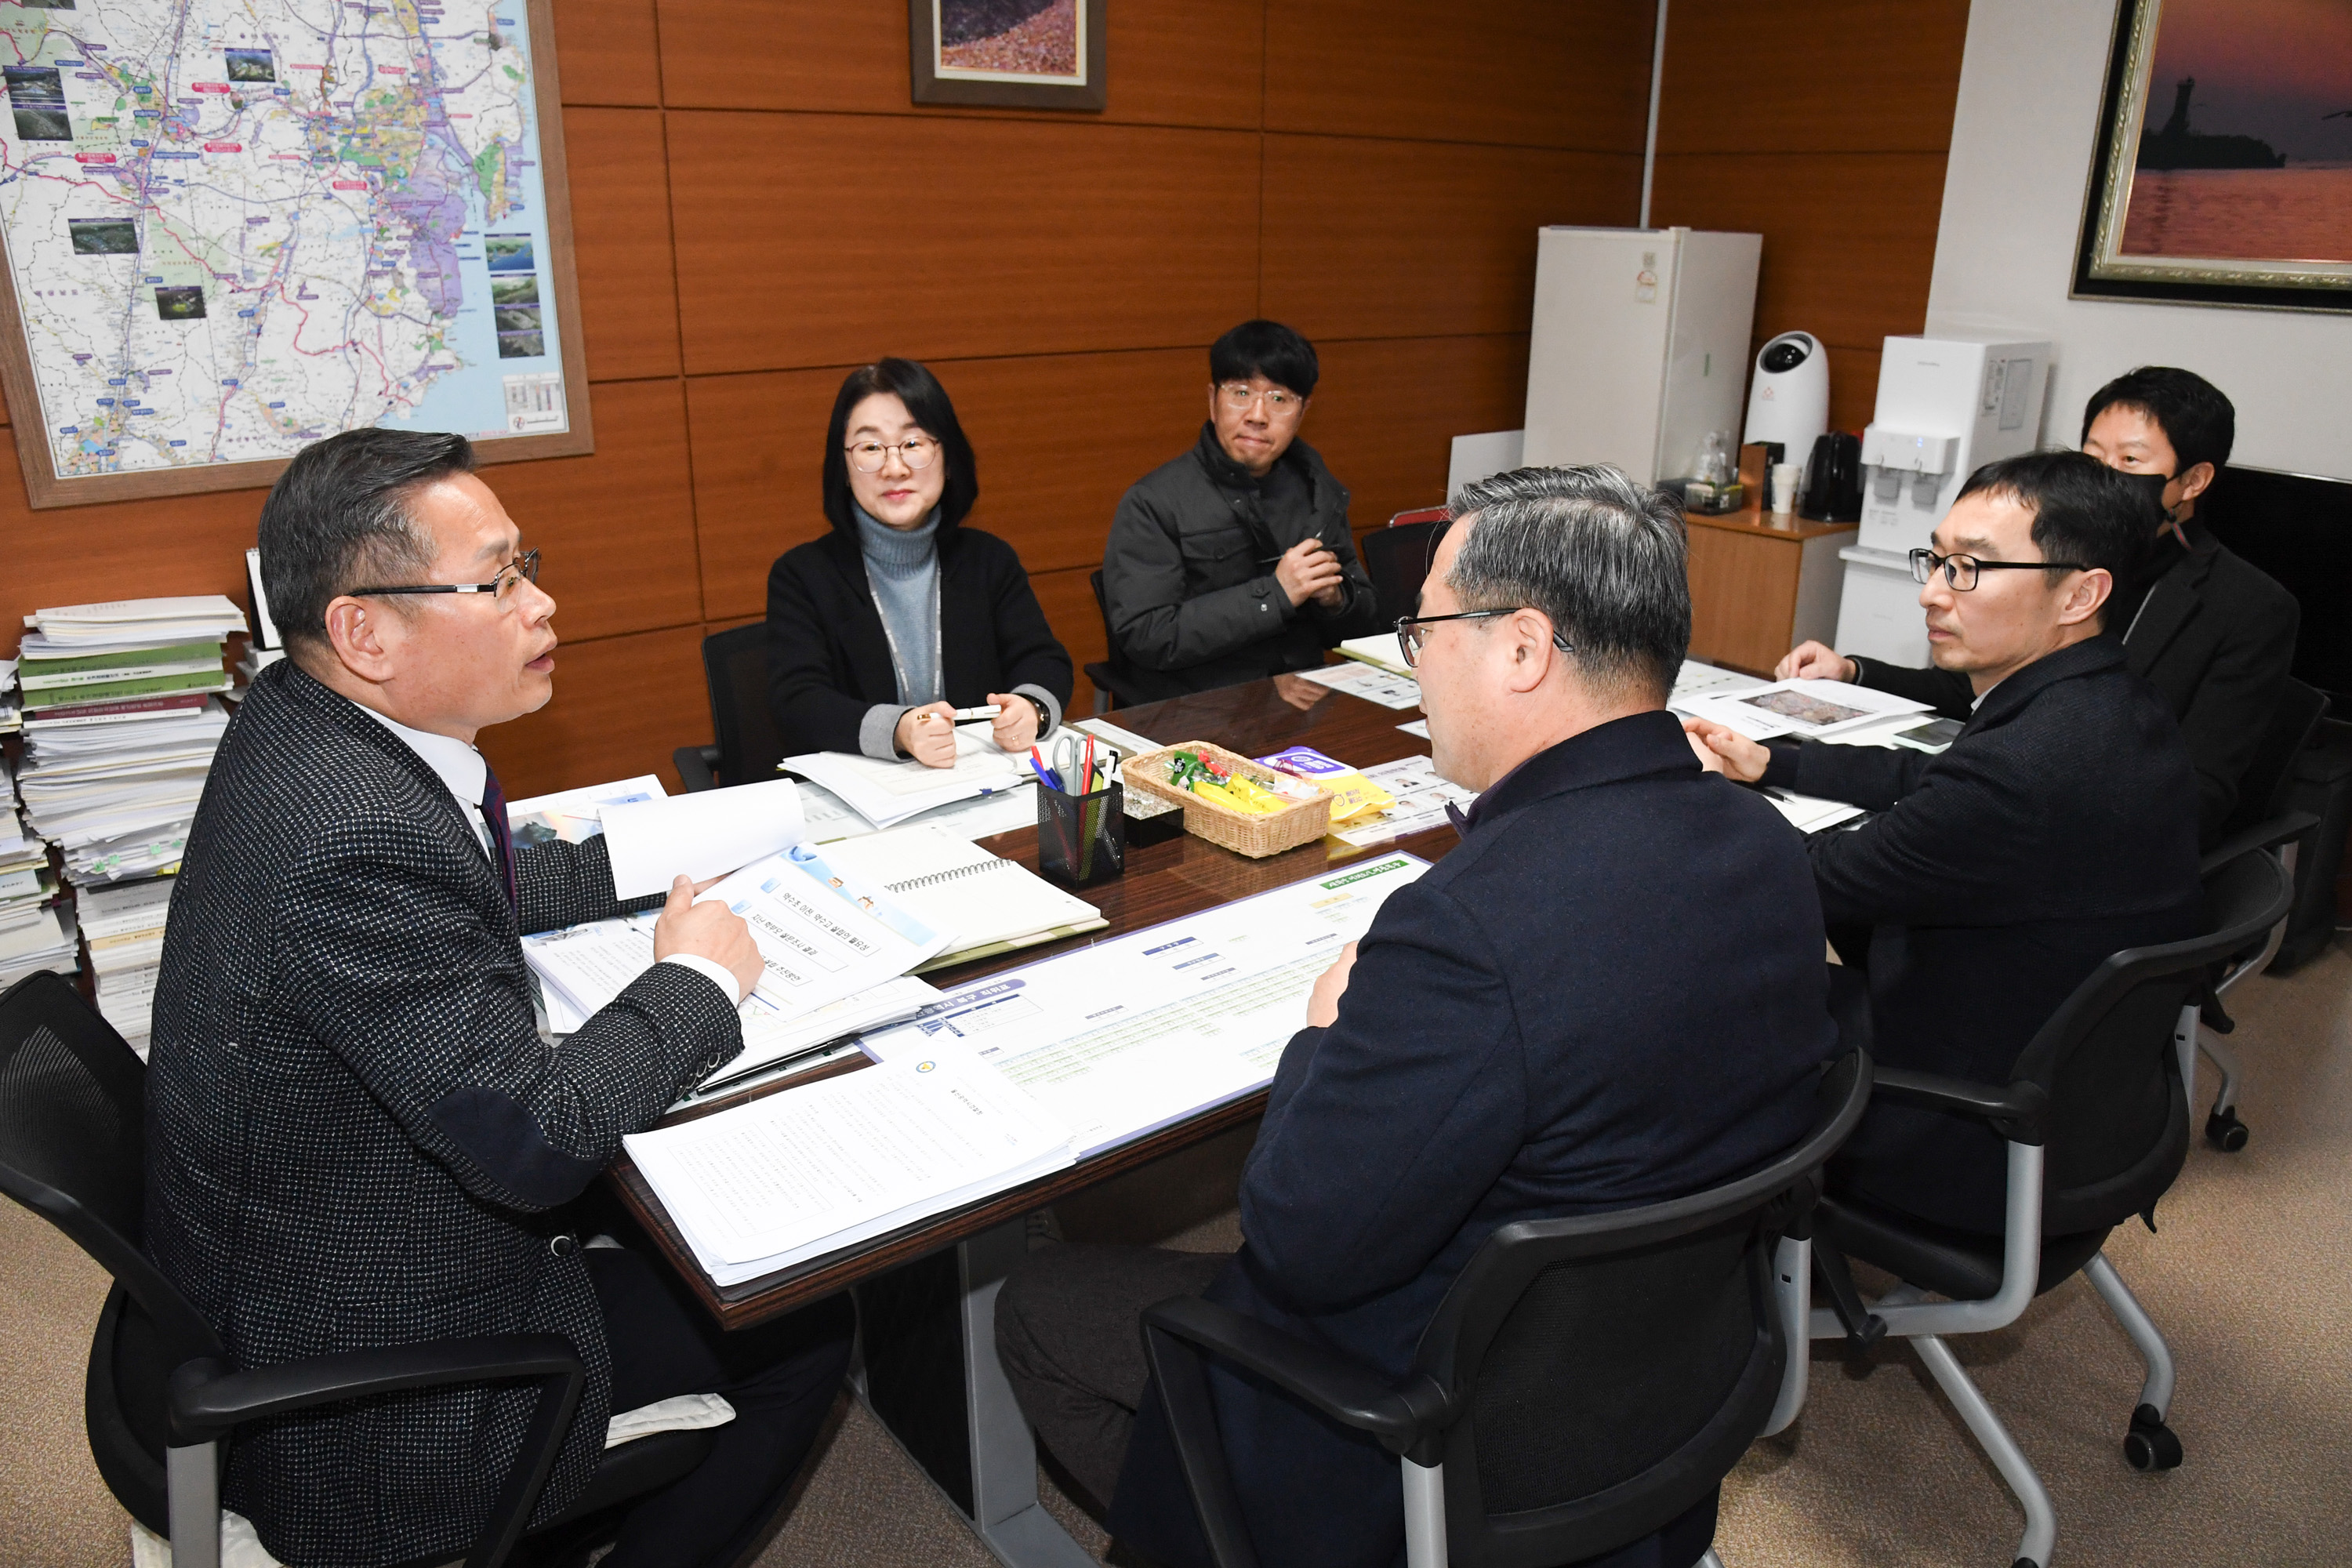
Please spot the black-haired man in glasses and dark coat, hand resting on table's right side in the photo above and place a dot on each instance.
(2062, 824)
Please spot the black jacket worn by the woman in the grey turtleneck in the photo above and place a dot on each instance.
(829, 659)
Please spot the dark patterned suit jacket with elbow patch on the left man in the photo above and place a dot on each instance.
(356, 1134)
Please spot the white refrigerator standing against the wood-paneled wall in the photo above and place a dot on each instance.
(1641, 347)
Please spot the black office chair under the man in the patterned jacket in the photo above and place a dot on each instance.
(163, 1400)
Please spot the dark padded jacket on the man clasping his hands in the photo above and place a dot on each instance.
(1187, 579)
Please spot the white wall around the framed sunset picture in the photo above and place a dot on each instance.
(2031, 91)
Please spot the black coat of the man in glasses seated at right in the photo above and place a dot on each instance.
(2059, 829)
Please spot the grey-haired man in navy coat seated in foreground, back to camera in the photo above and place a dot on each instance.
(1610, 993)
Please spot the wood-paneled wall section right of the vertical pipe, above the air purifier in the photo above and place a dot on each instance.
(1822, 126)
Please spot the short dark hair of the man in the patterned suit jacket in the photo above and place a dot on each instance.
(340, 516)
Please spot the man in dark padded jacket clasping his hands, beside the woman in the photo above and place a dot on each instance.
(1236, 563)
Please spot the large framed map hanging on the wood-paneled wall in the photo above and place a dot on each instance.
(239, 227)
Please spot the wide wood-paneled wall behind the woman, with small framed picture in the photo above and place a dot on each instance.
(761, 208)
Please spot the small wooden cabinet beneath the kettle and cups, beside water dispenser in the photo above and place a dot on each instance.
(1760, 587)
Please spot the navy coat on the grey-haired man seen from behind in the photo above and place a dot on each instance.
(1608, 996)
